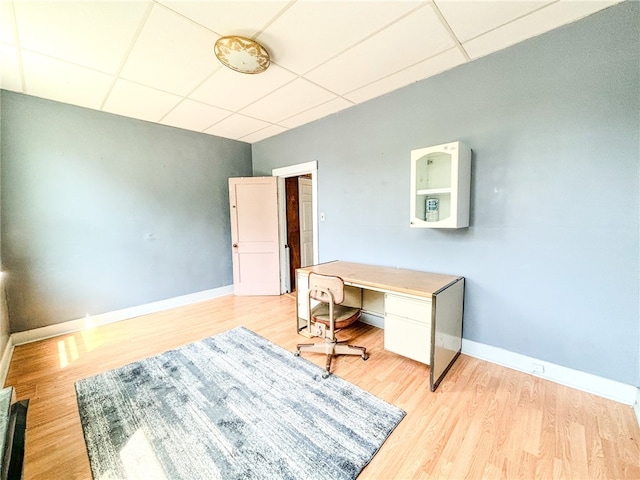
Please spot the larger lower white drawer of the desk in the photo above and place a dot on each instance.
(408, 338)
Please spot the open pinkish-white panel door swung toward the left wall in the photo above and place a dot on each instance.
(253, 203)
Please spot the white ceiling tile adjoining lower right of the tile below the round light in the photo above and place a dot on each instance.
(293, 98)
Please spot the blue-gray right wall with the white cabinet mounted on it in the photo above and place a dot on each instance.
(551, 257)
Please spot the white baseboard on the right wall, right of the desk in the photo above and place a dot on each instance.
(620, 392)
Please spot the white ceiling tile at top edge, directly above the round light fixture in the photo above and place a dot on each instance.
(229, 18)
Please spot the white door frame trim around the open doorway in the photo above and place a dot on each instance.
(308, 168)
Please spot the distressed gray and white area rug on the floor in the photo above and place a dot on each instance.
(233, 406)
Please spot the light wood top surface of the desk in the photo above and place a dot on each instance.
(400, 280)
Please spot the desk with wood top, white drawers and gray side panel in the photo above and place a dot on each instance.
(422, 311)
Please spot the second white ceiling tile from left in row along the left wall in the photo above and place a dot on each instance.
(64, 82)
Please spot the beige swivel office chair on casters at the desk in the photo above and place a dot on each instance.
(328, 317)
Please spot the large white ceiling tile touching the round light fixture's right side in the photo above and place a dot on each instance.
(311, 32)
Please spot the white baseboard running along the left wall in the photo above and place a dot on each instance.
(28, 336)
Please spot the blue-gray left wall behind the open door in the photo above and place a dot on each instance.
(101, 212)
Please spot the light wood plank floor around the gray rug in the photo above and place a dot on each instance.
(484, 421)
